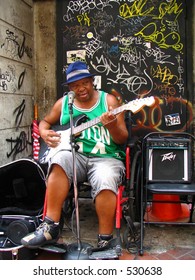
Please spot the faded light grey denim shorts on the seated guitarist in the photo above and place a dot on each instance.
(101, 173)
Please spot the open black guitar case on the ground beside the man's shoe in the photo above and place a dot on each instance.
(22, 194)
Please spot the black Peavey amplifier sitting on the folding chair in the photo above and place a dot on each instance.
(168, 160)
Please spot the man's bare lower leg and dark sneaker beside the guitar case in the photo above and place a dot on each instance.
(57, 191)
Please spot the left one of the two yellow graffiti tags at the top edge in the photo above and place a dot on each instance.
(136, 9)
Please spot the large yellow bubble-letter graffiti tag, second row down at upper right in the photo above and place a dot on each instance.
(151, 34)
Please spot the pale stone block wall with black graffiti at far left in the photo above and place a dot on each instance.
(16, 79)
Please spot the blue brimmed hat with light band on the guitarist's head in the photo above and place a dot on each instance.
(76, 71)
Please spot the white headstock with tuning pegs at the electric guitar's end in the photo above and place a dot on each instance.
(137, 104)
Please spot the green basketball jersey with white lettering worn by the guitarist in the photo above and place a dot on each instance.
(95, 140)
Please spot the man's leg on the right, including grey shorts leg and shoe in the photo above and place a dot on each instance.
(105, 175)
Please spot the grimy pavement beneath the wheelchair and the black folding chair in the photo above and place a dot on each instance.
(160, 242)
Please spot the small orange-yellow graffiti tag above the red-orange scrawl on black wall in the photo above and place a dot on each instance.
(164, 75)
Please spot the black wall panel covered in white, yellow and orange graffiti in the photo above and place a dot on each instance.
(137, 49)
